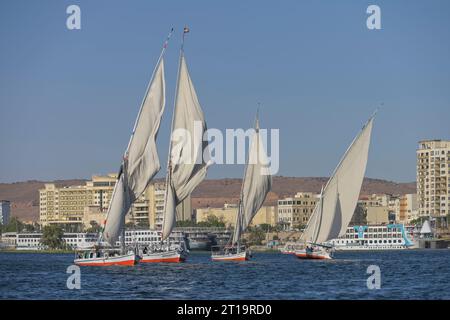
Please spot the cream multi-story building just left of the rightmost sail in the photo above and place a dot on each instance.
(294, 212)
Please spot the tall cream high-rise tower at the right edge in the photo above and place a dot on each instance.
(433, 179)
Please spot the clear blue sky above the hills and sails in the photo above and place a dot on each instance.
(68, 99)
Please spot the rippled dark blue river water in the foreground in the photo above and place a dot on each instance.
(421, 274)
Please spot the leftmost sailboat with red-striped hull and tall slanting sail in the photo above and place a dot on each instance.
(140, 164)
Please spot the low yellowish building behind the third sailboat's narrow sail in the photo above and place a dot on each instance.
(227, 214)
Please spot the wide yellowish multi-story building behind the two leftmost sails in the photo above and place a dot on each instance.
(79, 206)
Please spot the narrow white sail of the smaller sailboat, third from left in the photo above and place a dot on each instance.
(256, 185)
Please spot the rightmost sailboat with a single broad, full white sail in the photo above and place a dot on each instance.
(338, 199)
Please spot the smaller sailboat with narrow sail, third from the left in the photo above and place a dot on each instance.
(256, 185)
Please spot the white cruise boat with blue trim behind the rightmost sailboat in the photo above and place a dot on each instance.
(374, 237)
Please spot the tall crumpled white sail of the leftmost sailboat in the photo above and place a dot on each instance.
(141, 161)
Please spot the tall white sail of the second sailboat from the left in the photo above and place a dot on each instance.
(188, 152)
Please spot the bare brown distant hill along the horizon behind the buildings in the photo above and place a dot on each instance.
(24, 196)
